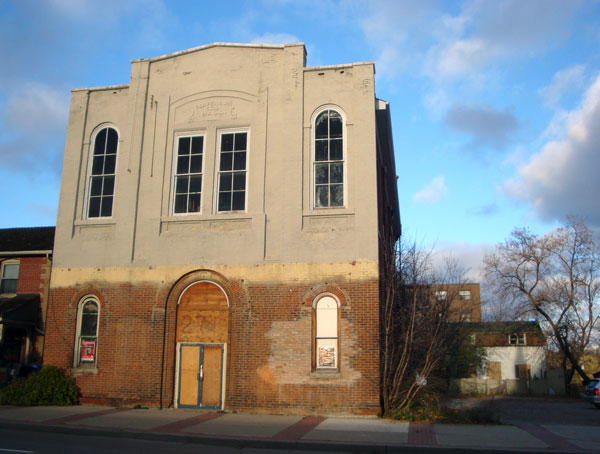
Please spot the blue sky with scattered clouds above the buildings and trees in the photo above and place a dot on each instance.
(495, 104)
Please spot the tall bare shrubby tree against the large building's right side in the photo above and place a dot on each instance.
(415, 333)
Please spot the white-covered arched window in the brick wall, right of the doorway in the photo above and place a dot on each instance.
(326, 333)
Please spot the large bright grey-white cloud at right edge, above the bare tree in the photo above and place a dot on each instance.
(562, 178)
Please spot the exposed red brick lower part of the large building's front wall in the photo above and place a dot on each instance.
(269, 348)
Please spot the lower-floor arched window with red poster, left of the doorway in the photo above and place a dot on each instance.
(86, 343)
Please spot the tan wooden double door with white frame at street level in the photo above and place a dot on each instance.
(201, 368)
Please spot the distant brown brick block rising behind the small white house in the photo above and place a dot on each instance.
(465, 301)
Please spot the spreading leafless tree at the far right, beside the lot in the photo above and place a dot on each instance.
(556, 279)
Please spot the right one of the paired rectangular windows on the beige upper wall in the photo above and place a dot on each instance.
(233, 166)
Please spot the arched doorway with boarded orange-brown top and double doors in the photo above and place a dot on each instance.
(202, 331)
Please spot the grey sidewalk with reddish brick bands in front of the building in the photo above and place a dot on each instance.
(300, 432)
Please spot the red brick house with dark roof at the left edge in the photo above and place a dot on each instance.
(25, 262)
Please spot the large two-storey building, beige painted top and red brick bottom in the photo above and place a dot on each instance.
(219, 229)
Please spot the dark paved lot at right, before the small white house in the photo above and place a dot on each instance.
(536, 410)
